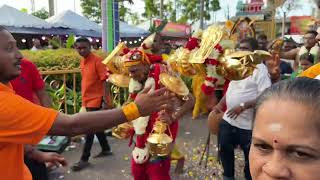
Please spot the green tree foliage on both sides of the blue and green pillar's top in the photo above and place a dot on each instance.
(92, 9)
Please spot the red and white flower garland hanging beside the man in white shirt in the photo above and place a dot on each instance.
(208, 87)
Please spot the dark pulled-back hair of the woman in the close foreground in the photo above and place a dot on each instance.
(301, 90)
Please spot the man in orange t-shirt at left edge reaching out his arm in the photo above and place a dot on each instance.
(22, 122)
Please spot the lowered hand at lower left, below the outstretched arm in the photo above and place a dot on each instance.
(50, 157)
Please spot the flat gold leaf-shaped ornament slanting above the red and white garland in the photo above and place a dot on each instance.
(210, 38)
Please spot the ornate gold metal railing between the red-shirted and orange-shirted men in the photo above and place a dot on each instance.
(58, 83)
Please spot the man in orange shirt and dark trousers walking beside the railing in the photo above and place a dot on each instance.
(95, 94)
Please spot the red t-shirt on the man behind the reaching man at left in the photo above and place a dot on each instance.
(28, 82)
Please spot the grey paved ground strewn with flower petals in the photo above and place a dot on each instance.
(192, 138)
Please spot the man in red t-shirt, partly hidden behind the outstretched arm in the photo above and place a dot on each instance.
(28, 83)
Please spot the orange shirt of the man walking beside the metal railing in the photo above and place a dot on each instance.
(94, 74)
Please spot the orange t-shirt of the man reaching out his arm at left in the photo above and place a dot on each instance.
(21, 122)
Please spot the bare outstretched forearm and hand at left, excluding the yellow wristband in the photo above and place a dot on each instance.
(84, 123)
